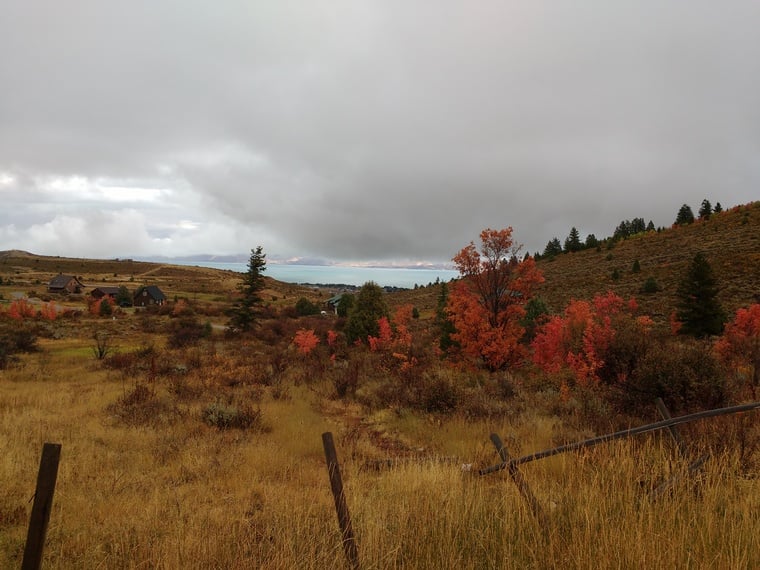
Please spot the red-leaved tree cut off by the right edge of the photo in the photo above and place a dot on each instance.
(740, 344)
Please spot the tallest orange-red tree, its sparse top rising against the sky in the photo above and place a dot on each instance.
(487, 305)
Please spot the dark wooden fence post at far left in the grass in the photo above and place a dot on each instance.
(43, 504)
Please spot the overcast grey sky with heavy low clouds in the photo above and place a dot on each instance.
(367, 130)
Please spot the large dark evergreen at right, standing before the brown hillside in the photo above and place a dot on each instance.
(699, 310)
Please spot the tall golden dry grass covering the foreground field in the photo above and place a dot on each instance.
(173, 492)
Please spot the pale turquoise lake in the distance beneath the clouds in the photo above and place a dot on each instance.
(340, 274)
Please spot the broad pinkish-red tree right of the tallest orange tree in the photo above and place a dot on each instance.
(598, 341)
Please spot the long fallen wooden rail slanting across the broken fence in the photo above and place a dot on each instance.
(619, 435)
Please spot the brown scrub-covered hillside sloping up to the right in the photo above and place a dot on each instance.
(730, 240)
